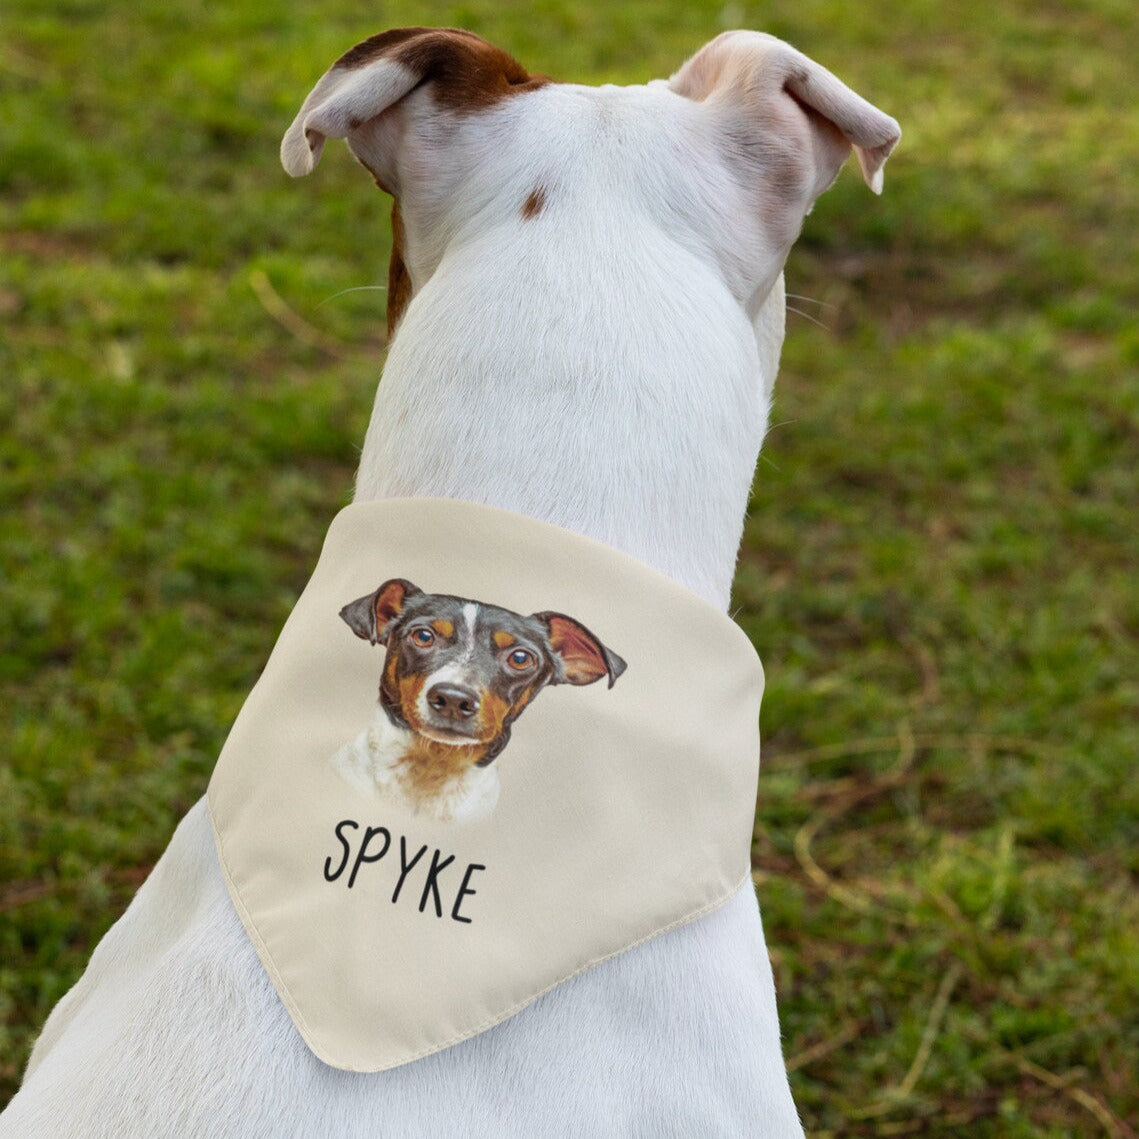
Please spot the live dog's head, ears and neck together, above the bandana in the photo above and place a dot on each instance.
(587, 283)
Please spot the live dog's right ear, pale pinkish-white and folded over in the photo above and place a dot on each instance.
(784, 116)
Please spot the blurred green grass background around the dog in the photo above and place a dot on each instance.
(939, 569)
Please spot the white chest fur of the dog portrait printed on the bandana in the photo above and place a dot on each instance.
(372, 764)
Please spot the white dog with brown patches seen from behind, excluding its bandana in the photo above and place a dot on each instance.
(591, 308)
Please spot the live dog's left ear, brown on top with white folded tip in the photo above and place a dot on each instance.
(462, 70)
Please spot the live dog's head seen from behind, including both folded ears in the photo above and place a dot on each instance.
(724, 160)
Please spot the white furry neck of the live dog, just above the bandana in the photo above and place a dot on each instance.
(635, 420)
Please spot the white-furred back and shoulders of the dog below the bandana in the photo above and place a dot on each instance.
(175, 1031)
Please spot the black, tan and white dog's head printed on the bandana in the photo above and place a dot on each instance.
(462, 673)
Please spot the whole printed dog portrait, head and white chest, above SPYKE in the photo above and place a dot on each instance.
(457, 676)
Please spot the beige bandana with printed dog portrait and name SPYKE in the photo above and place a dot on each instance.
(486, 755)
